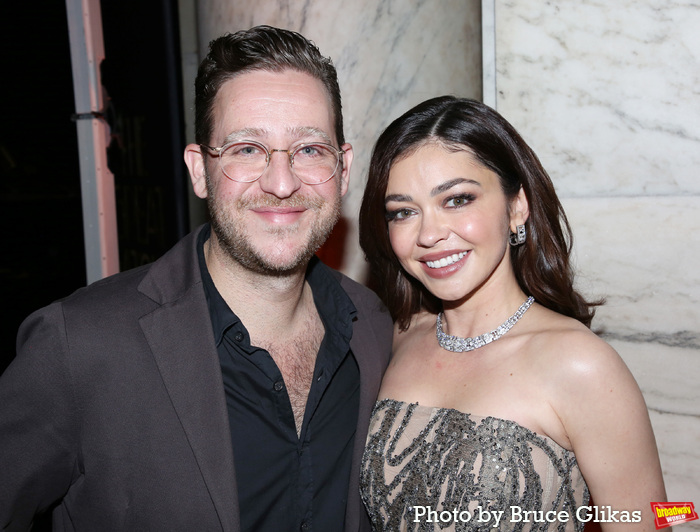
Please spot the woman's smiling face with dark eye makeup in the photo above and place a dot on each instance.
(449, 222)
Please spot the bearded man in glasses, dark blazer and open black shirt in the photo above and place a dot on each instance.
(227, 386)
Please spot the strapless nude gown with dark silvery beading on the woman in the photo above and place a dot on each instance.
(428, 468)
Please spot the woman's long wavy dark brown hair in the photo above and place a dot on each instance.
(541, 264)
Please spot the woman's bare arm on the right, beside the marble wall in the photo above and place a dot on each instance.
(607, 422)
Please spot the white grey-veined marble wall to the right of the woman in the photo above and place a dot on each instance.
(607, 94)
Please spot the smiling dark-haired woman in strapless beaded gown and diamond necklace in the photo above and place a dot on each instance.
(500, 409)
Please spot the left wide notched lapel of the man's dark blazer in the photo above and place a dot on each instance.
(180, 336)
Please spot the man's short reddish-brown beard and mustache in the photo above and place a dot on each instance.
(238, 245)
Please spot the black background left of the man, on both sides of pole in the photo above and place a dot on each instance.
(43, 257)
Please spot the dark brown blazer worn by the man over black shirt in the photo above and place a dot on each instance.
(113, 412)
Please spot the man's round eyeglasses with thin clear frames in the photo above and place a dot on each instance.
(246, 161)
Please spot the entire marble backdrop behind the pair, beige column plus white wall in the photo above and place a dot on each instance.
(607, 94)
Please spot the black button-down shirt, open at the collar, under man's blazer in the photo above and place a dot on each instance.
(286, 481)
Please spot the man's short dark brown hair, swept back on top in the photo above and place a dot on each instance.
(260, 48)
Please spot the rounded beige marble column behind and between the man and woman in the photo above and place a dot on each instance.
(390, 55)
